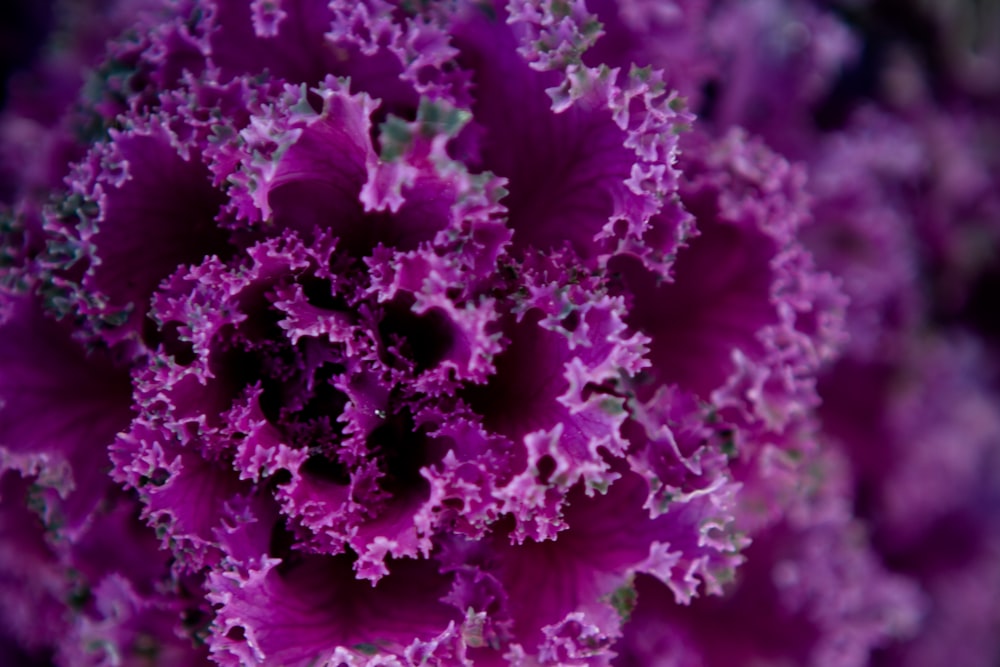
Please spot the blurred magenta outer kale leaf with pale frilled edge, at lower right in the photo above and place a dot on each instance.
(812, 592)
